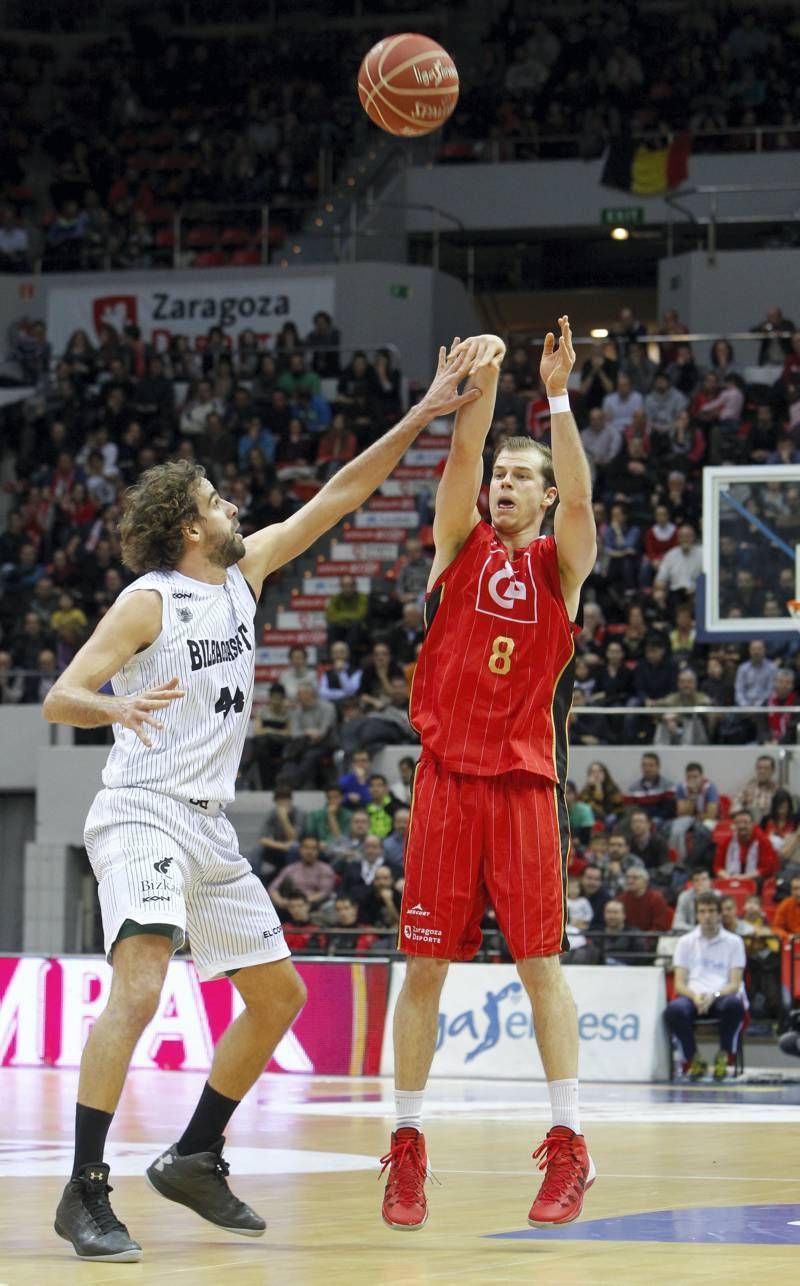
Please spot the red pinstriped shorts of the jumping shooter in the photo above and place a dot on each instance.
(475, 842)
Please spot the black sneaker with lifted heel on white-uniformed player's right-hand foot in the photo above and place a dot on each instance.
(200, 1181)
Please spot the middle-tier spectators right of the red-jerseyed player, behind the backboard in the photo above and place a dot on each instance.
(649, 428)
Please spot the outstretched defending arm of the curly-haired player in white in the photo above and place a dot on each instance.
(277, 545)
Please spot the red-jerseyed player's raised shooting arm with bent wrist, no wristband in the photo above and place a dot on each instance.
(461, 483)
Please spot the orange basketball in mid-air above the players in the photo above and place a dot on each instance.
(408, 86)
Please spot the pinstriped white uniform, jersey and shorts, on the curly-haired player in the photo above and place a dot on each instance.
(160, 844)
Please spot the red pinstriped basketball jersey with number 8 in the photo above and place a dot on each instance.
(493, 685)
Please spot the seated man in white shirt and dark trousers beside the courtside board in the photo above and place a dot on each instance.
(709, 969)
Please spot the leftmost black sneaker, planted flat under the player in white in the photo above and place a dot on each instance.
(86, 1218)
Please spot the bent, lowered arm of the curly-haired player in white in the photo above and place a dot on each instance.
(129, 626)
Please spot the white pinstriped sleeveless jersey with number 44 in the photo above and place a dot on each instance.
(208, 642)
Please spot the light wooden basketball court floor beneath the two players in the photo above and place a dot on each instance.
(682, 1172)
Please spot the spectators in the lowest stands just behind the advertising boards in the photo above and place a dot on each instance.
(645, 855)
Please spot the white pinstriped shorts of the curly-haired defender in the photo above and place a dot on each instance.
(159, 860)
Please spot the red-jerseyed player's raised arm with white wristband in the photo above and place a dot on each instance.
(576, 529)
